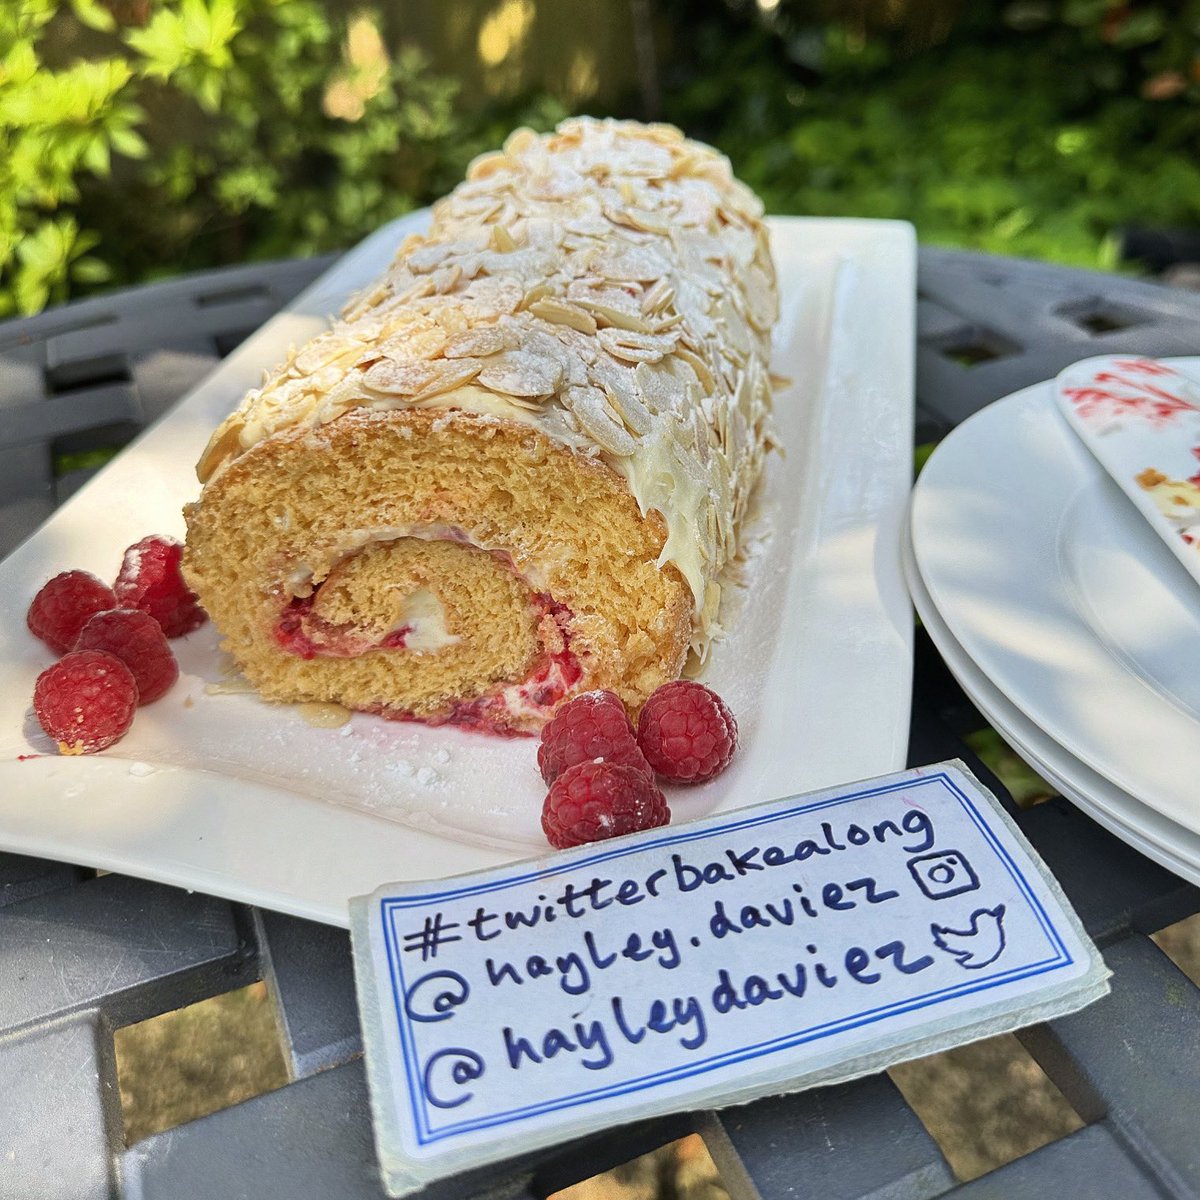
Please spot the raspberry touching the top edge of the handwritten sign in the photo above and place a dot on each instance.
(593, 801)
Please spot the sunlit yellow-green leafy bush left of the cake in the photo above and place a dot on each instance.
(214, 130)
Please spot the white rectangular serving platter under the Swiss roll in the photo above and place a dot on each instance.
(231, 796)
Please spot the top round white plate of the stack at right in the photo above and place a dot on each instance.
(1065, 599)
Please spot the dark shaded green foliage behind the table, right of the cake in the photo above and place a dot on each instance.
(1034, 130)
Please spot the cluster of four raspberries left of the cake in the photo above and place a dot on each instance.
(113, 641)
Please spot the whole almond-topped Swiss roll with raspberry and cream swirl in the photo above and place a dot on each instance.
(518, 466)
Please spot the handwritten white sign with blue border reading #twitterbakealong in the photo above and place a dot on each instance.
(803, 941)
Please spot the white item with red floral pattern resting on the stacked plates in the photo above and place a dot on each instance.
(1141, 418)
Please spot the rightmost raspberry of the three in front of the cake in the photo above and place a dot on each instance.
(686, 733)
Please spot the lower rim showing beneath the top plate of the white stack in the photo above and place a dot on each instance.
(1166, 843)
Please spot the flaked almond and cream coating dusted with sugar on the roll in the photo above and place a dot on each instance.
(609, 284)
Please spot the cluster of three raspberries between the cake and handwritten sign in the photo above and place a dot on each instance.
(602, 772)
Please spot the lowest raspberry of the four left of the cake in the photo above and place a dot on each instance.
(86, 701)
